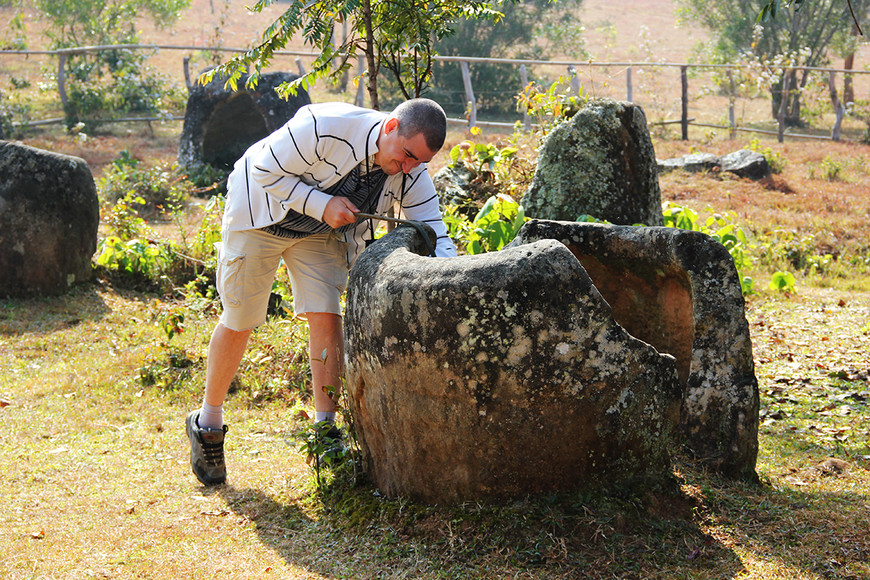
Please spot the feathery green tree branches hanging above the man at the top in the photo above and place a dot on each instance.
(397, 36)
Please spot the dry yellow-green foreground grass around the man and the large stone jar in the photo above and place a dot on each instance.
(97, 484)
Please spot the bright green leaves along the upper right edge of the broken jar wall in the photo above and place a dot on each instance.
(721, 229)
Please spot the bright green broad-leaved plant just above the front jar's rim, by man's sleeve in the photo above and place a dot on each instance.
(495, 225)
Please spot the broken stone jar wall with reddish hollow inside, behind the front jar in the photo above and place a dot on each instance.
(679, 291)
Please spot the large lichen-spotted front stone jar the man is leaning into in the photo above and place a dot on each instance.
(499, 375)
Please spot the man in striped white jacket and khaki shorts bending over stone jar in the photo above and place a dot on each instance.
(295, 195)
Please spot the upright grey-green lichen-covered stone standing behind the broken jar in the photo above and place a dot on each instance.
(599, 163)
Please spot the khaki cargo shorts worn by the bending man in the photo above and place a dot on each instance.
(249, 259)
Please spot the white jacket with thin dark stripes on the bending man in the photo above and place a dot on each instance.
(290, 168)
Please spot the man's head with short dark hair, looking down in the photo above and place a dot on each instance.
(411, 135)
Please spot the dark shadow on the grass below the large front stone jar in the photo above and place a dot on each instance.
(360, 534)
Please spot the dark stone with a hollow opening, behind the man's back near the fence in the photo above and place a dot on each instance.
(220, 124)
